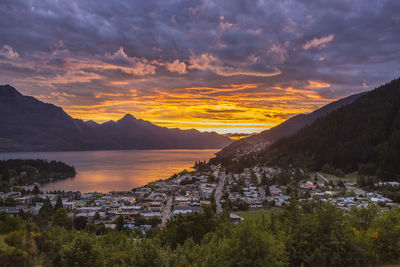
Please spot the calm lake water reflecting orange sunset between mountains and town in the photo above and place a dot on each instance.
(119, 170)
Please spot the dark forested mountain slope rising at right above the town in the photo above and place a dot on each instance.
(362, 136)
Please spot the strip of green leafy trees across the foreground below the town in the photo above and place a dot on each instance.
(303, 234)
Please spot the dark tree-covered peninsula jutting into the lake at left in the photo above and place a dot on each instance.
(18, 172)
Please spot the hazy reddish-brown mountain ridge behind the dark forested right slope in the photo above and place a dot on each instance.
(289, 127)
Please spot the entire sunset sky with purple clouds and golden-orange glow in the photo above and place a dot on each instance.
(233, 66)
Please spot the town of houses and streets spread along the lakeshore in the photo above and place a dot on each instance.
(152, 205)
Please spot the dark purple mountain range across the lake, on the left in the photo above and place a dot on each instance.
(28, 124)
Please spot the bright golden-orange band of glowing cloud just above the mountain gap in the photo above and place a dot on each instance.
(232, 108)
